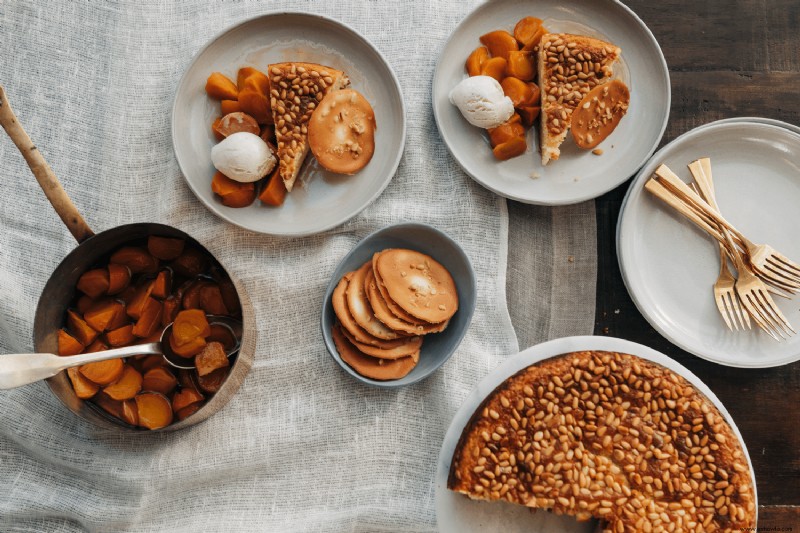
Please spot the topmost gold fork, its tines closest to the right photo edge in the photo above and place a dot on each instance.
(767, 262)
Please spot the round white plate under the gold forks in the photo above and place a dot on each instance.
(669, 266)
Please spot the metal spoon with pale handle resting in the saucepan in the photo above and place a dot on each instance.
(21, 369)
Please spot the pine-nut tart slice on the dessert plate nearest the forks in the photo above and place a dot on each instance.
(569, 67)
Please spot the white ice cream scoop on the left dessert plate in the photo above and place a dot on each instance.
(243, 157)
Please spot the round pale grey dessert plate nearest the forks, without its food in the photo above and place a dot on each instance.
(578, 175)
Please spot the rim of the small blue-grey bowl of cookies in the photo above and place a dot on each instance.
(469, 310)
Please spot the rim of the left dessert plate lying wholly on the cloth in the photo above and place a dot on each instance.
(279, 13)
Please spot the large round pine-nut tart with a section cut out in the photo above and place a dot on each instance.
(609, 436)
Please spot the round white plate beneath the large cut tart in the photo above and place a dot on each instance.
(455, 513)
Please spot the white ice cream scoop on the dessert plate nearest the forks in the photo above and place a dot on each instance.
(482, 102)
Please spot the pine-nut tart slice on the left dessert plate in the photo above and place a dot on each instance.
(296, 90)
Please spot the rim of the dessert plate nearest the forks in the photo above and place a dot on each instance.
(575, 199)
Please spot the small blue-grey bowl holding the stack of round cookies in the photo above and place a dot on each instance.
(436, 347)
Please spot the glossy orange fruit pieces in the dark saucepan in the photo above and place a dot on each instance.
(129, 299)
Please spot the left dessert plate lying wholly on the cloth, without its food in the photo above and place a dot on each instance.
(320, 199)
